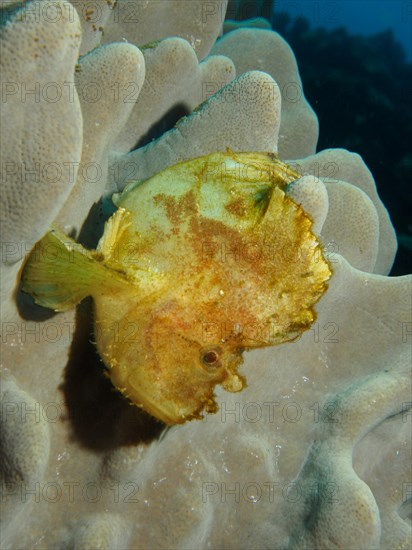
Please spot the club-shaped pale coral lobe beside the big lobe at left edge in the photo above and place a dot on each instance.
(108, 81)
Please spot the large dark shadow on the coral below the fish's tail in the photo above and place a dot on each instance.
(101, 418)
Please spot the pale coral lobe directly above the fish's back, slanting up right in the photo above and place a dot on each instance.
(230, 118)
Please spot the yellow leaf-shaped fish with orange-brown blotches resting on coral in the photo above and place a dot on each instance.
(201, 262)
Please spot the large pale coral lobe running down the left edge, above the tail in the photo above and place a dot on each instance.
(41, 130)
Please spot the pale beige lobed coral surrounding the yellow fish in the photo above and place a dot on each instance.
(315, 451)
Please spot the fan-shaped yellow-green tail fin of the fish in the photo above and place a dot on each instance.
(60, 273)
